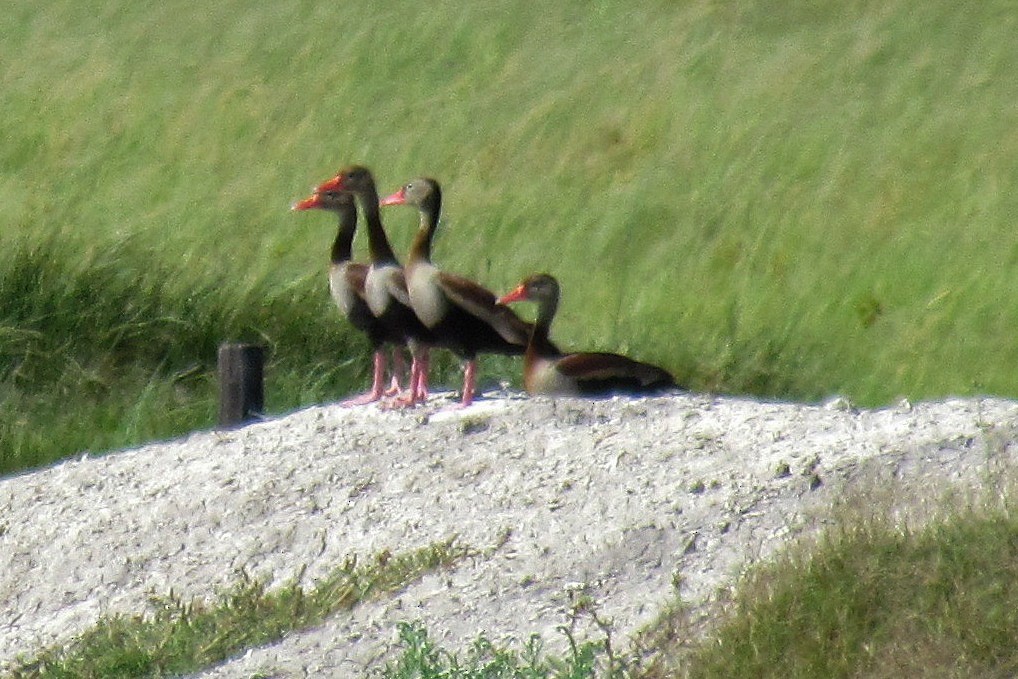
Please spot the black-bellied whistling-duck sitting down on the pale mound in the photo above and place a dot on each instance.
(546, 371)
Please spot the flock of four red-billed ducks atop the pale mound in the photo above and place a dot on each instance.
(419, 307)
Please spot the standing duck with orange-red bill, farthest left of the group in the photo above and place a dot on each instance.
(347, 284)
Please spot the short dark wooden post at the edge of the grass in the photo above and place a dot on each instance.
(242, 393)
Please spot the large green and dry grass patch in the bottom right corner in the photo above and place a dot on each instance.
(876, 595)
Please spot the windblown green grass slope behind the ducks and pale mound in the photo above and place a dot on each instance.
(793, 202)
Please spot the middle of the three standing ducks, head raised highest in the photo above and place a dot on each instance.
(385, 285)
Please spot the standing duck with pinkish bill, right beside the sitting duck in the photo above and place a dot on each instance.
(464, 316)
